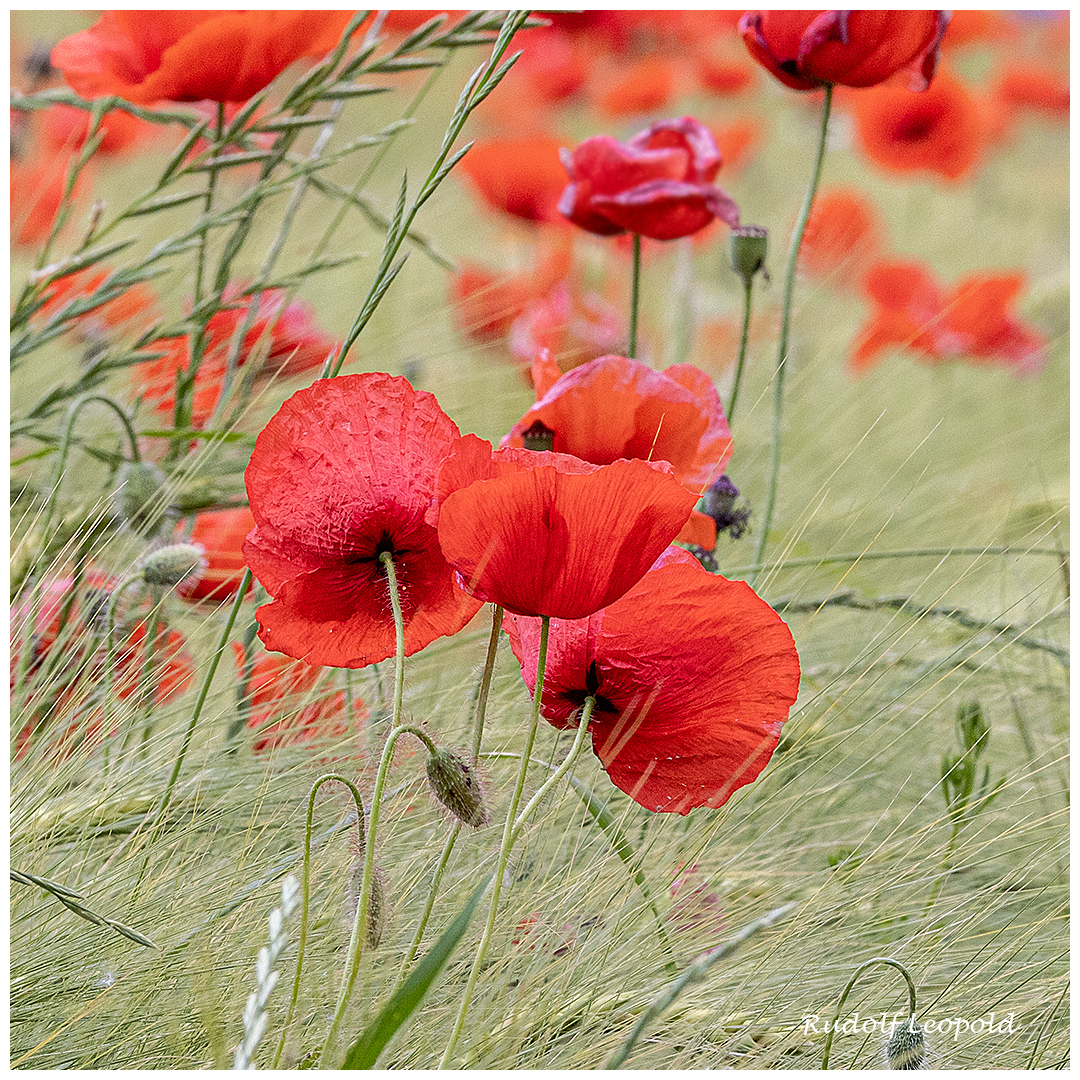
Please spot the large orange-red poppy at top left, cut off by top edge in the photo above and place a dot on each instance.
(146, 57)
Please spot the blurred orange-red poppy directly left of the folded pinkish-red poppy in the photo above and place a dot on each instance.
(521, 177)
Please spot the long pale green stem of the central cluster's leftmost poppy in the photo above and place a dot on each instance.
(357, 938)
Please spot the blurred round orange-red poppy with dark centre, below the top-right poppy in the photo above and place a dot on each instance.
(938, 131)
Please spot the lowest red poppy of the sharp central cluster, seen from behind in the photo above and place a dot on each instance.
(693, 674)
